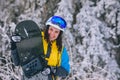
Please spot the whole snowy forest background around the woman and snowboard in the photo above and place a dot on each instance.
(92, 36)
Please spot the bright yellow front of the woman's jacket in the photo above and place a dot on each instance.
(54, 59)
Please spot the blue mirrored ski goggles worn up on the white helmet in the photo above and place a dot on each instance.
(59, 21)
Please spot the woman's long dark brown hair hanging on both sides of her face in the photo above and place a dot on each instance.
(58, 40)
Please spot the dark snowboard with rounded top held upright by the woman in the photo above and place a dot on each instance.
(30, 48)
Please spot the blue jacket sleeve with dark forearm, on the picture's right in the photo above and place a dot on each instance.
(64, 68)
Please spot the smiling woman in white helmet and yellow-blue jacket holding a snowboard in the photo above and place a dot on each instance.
(56, 56)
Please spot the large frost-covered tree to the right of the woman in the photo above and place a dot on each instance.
(96, 55)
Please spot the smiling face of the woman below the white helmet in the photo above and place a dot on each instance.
(53, 33)
